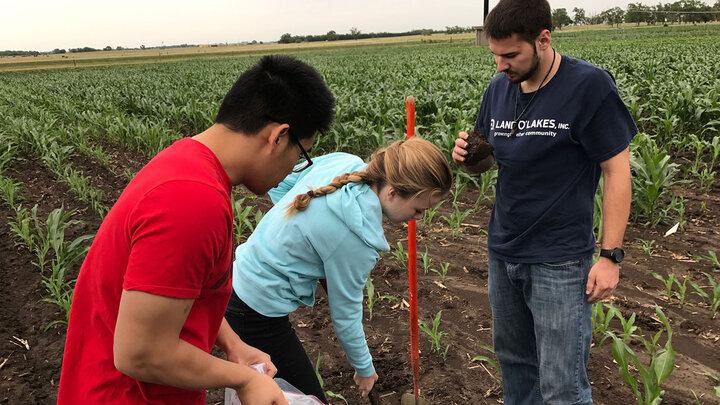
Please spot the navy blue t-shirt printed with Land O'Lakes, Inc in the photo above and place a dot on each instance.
(548, 173)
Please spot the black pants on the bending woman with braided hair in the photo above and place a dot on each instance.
(276, 337)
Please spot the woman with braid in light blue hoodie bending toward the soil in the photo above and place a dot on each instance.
(337, 238)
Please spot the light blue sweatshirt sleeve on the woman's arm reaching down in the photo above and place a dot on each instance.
(346, 276)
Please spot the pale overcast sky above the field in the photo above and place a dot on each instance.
(43, 25)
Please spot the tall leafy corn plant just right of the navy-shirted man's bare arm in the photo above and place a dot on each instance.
(653, 178)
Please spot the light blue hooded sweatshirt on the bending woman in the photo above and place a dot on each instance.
(338, 238)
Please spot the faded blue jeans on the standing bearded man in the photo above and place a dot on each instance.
(542, 330)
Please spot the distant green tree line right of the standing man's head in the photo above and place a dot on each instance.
(682, 11)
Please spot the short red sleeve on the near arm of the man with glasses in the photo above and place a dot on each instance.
(178, 232)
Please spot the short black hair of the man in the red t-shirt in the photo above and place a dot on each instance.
(279, 88)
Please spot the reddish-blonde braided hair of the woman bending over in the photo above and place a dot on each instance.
(411, 167)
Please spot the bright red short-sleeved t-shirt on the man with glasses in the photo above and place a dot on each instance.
(169, 234)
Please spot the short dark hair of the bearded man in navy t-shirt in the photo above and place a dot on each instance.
(527, 18)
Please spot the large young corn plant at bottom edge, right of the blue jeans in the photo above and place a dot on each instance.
(662, 363)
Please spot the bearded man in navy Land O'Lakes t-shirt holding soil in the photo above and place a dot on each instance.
(556, 124)
